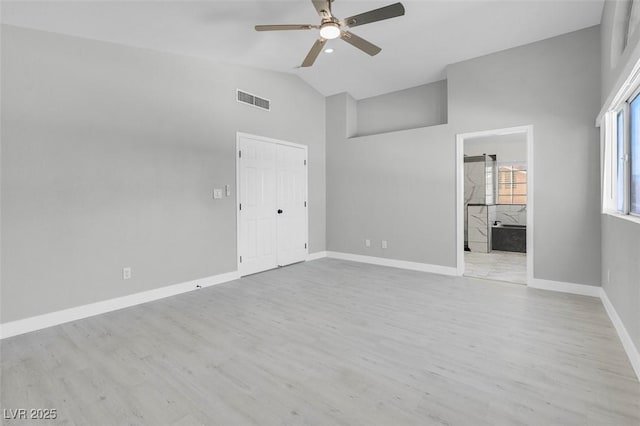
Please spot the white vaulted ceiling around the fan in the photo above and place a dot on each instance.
(415, 48)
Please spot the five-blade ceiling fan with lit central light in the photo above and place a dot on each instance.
(331, 27)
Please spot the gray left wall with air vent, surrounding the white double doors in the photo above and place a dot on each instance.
(109, 158)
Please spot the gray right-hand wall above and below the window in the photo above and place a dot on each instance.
(620, 238)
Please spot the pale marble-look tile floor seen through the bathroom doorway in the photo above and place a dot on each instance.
(497, 265)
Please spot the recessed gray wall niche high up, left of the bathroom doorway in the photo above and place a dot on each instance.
(420, 106)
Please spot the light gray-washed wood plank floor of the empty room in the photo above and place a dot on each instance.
(332, 342)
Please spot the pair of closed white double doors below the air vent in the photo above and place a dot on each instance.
(272, 215)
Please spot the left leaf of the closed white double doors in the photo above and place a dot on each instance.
(257, 209)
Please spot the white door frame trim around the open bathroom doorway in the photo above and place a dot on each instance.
(460, 138)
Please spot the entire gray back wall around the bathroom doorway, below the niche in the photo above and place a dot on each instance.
(401, 186)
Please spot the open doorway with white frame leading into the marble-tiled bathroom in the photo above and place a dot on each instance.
(495, 204)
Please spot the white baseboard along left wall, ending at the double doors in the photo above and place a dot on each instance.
(39, 322)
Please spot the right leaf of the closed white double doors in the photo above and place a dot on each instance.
(292, 204)
